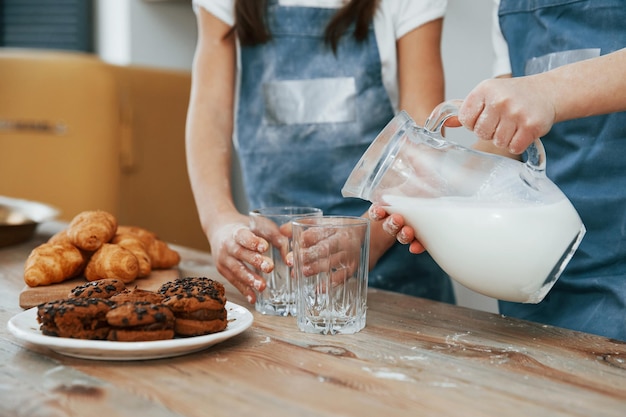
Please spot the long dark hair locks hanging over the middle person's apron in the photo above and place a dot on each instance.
(251, 25)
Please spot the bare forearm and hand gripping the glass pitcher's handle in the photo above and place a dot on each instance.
(514, 112)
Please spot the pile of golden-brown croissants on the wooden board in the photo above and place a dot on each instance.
(96, 246)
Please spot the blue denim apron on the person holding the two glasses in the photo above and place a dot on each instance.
(305, 116)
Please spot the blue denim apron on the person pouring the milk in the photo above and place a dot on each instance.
(586, 158)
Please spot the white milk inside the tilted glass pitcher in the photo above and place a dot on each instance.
(505, 251)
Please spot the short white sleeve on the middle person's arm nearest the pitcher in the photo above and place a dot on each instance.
(410, 14)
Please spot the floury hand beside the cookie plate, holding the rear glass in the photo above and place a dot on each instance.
(236, 251)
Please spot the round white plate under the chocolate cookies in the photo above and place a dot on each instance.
(25, 327)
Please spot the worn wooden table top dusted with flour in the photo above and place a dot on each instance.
(415, 357)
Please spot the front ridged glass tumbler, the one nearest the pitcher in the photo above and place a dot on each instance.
(331, 261)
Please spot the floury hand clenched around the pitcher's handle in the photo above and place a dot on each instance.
(511, 112)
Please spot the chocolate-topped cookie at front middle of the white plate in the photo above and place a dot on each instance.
(140, 321)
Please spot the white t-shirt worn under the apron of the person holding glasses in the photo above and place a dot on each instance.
(393, 19)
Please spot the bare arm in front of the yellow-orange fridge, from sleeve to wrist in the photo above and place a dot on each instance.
(210, 121)
